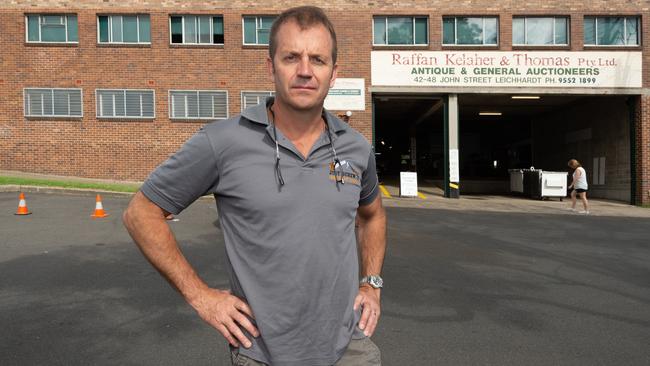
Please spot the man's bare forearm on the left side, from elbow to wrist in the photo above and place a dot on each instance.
(146, 224)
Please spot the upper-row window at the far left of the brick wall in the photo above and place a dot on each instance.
(52, 28)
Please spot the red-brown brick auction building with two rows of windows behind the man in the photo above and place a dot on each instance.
(458, 91)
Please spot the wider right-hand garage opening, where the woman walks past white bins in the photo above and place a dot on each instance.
(501, 132)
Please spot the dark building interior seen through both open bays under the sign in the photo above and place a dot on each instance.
(498, 132)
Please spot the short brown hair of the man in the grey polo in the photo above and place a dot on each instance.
(306, 17)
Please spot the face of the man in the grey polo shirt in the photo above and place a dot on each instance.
(302, 68)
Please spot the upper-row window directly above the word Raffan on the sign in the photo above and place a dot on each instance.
(403, 31)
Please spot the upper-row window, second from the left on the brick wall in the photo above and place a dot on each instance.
(123, 29)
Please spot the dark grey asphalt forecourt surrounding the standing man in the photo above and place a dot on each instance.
(468, 286)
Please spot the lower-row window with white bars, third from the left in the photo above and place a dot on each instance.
(198, 104)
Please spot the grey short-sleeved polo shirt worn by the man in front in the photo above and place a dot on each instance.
(291, 249)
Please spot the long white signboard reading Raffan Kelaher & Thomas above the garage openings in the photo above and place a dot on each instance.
(507, 69)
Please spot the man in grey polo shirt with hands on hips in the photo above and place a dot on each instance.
(290, 179)
